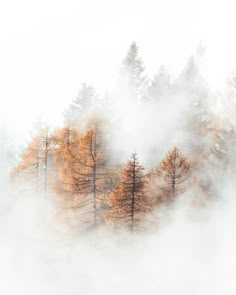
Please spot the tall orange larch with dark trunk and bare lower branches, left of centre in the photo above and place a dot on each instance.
(90, 174)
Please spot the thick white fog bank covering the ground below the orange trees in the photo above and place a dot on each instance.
(192, 252)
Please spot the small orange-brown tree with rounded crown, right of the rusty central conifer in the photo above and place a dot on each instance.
(174, 171)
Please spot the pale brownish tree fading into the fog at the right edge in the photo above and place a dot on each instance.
(212, 155)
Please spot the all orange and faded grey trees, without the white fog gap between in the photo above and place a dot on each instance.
(74, 162)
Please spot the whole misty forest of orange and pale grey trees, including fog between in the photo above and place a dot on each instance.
(123, 159)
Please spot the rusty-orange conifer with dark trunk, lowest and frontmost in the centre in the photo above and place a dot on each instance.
(128, 203)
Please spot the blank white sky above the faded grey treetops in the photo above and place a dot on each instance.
(48, 47)
